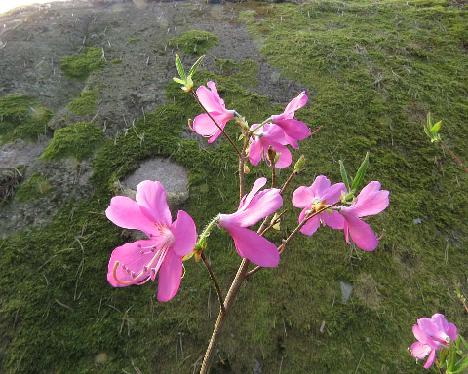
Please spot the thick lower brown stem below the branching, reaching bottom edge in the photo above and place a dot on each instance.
(228, 302)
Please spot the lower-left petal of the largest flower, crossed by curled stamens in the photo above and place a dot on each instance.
(129, 255)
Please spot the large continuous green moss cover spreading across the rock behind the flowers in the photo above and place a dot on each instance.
(368, 92)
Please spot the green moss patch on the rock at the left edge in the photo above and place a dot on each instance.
(22, 117)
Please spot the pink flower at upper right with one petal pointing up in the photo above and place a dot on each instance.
(295, 130)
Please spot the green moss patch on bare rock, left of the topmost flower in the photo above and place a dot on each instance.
(79, 140)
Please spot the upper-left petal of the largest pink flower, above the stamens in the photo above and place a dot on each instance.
(125, 213)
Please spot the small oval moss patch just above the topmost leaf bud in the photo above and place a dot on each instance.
(196, 42)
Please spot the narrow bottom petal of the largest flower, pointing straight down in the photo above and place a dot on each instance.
(169, 277)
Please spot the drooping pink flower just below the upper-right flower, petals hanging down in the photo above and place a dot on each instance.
(265, 137)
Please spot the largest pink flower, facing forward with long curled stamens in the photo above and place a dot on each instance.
(162, 252)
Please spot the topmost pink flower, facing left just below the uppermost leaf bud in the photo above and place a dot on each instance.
(203, 124)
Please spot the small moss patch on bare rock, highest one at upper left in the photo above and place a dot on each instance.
(81, 65)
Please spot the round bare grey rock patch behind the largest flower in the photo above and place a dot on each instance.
(172, 176)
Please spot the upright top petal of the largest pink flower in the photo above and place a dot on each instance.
(152, 199)
